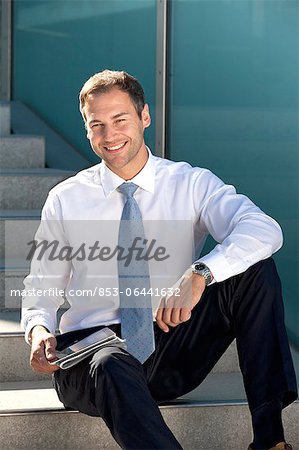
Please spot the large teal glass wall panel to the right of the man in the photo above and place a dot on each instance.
(234, 78)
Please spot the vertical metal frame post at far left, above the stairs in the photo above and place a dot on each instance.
(5, 67)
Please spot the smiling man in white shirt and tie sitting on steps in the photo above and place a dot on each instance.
(232, 292)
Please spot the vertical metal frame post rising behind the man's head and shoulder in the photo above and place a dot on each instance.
(161, 75)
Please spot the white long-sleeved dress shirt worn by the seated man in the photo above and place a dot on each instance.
(170, 192)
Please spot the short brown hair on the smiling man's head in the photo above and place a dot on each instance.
(108, 79)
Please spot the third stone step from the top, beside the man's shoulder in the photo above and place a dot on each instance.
(28, 189)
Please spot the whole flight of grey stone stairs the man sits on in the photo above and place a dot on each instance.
(213, 417)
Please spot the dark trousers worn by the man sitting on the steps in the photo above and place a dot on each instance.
(112, 384)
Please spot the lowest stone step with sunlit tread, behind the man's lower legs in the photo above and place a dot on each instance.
(33, 412)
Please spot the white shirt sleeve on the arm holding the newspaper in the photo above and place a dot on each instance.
(49, 274)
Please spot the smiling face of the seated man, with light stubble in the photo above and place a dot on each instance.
(115, 131)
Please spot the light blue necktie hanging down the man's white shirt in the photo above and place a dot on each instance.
(135, 310)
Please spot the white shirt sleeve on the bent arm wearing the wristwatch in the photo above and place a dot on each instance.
(244, 233)
